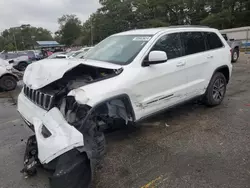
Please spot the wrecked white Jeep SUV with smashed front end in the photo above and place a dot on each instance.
(126, 77)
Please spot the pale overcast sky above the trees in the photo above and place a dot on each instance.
(43, 13)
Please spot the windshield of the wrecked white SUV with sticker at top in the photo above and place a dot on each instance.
(120, 49)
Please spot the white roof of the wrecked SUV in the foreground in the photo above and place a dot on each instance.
(153, 31)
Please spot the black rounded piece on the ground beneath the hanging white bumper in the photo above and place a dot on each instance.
(73, 170)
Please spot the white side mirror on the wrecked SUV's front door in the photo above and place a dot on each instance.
(156, 57)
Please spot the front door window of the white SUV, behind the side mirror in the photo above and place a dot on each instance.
(170, 44)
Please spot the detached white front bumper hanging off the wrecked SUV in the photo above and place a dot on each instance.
(62, 138)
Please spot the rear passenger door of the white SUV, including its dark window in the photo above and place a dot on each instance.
(197, 62)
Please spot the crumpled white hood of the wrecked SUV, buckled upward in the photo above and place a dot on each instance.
(44, 72)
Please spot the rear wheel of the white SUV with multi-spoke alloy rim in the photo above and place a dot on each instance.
(216, 90)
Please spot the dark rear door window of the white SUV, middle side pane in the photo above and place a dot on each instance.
(193, 42)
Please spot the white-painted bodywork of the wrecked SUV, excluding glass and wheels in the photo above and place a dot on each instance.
(150, 88)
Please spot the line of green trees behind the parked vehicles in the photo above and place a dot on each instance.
(120, 15)
